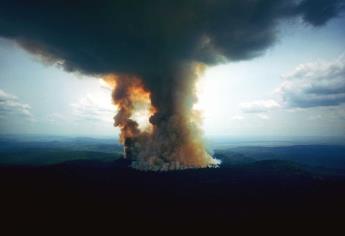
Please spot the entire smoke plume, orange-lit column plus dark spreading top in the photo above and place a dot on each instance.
(163, 44)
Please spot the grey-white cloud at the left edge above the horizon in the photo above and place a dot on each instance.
(11, 106)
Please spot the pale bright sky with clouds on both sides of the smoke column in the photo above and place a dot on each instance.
(296, 88)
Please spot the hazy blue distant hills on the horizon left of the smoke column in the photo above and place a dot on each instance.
(39, 153)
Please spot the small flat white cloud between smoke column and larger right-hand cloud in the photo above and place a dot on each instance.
(259, 106)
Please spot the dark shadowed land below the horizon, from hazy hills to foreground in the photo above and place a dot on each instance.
(86, 180)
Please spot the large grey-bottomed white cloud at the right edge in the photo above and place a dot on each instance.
(314, 84)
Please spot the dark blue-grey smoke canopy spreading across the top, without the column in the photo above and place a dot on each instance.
(140, 37)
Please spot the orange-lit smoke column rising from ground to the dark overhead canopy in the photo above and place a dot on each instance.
(174, 140)
